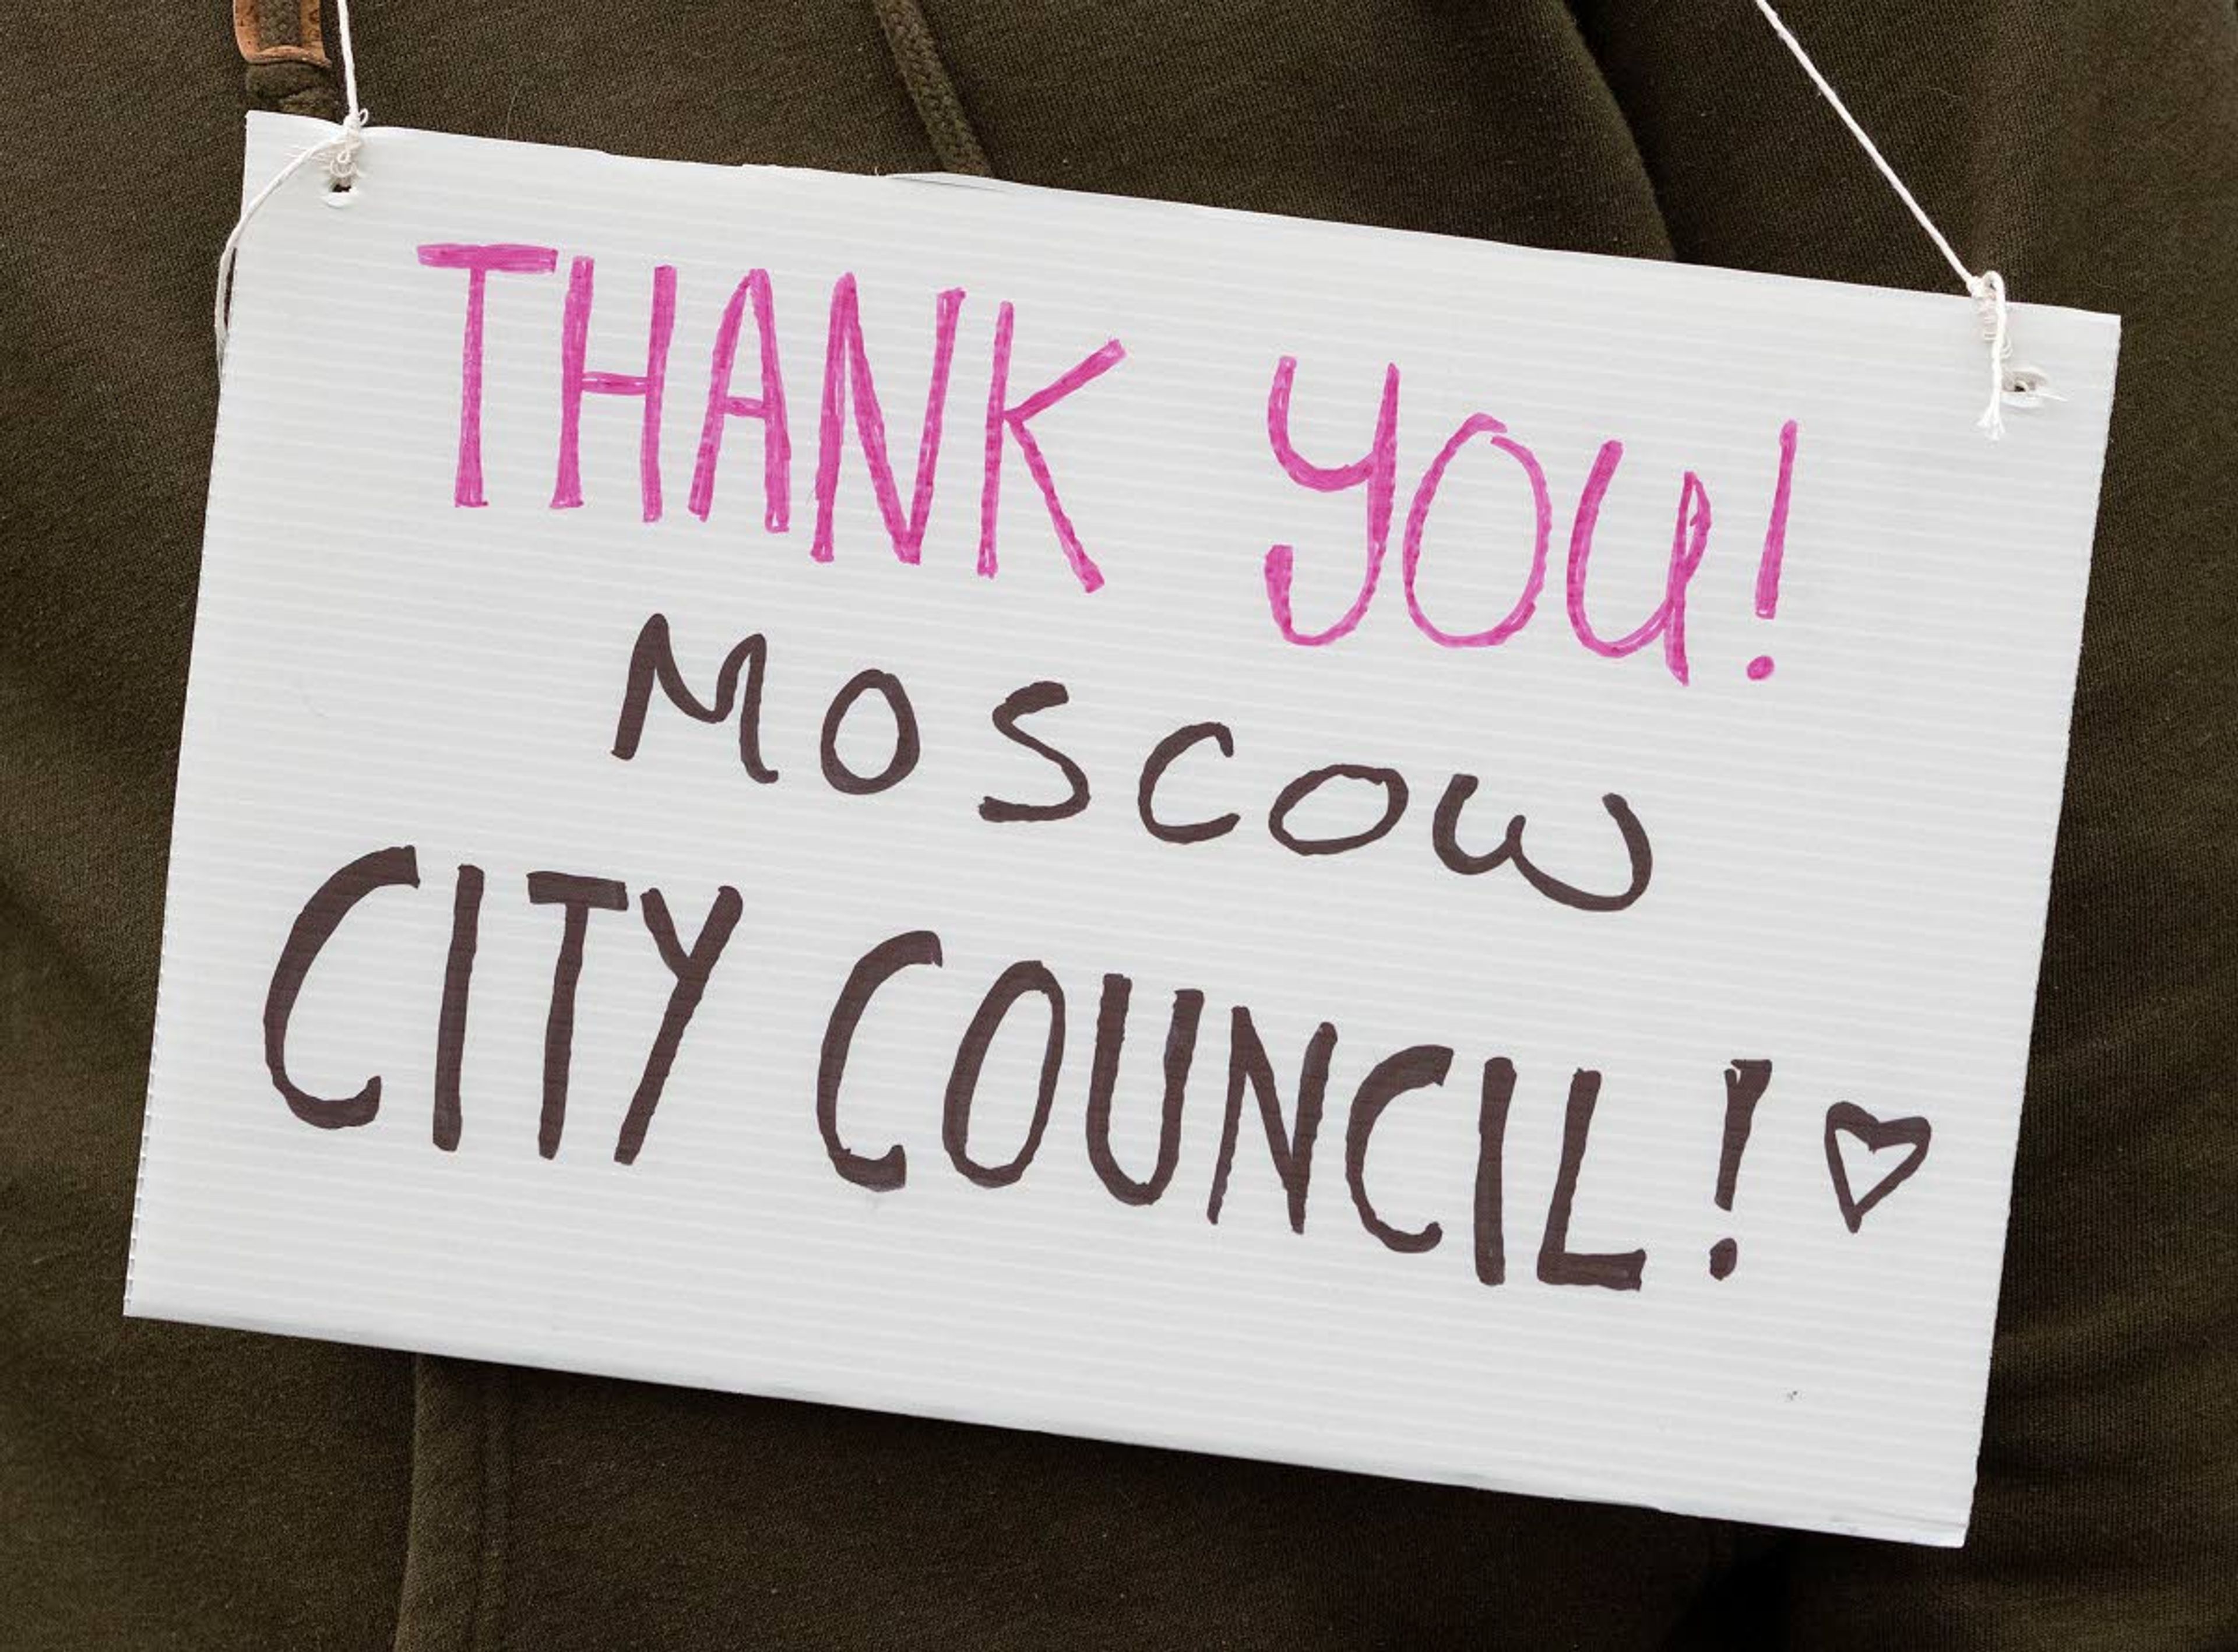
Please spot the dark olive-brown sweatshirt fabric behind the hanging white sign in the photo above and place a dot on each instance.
(169, 1487)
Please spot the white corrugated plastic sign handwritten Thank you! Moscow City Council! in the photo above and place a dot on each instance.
(1127, 820)
